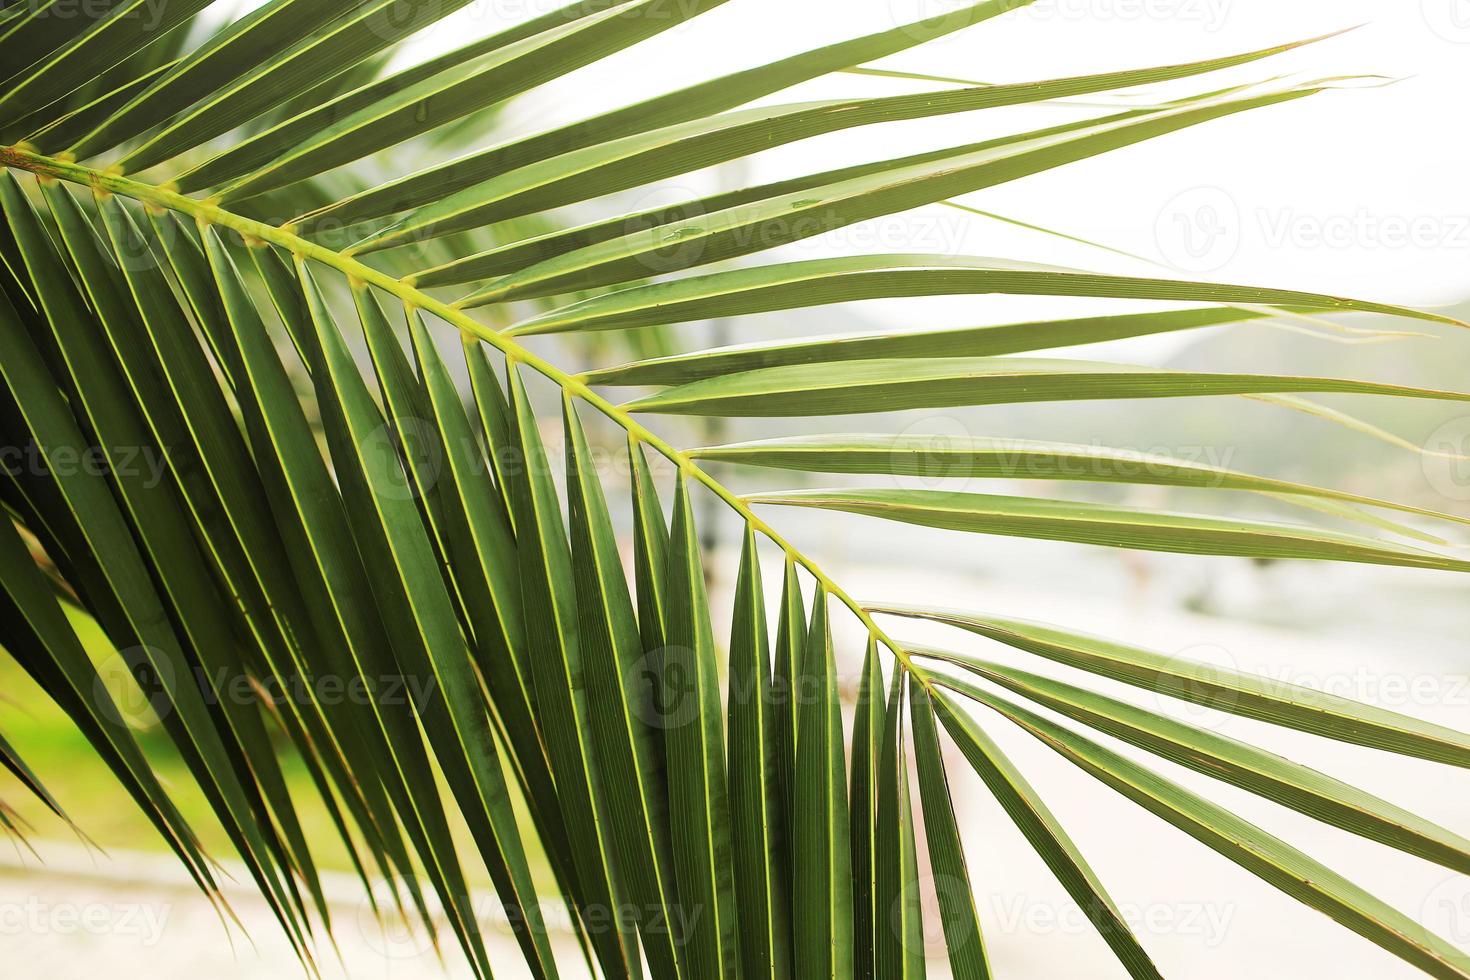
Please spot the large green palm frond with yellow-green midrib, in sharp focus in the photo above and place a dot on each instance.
(345, 506)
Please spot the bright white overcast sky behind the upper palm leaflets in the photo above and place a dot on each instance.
(1356, 192)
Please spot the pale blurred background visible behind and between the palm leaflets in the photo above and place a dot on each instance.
(1359, 192)
